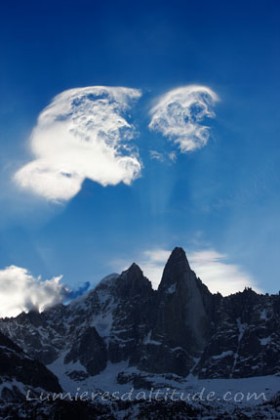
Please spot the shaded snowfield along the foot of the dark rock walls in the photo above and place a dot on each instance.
(247, 391)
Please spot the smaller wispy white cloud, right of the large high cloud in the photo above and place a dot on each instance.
(178, 115)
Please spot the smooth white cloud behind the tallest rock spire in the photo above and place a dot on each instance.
(213, 268)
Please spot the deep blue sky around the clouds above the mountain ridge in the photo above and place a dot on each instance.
(222, 198)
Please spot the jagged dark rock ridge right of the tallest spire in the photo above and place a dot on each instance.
(246, 339)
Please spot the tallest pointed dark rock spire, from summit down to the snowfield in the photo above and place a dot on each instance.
(181, 325)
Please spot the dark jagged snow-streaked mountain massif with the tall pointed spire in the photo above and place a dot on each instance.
(124, 334)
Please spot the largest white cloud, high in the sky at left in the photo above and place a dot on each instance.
(82, 134)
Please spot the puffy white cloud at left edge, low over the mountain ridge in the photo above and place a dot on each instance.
(20, 291)
